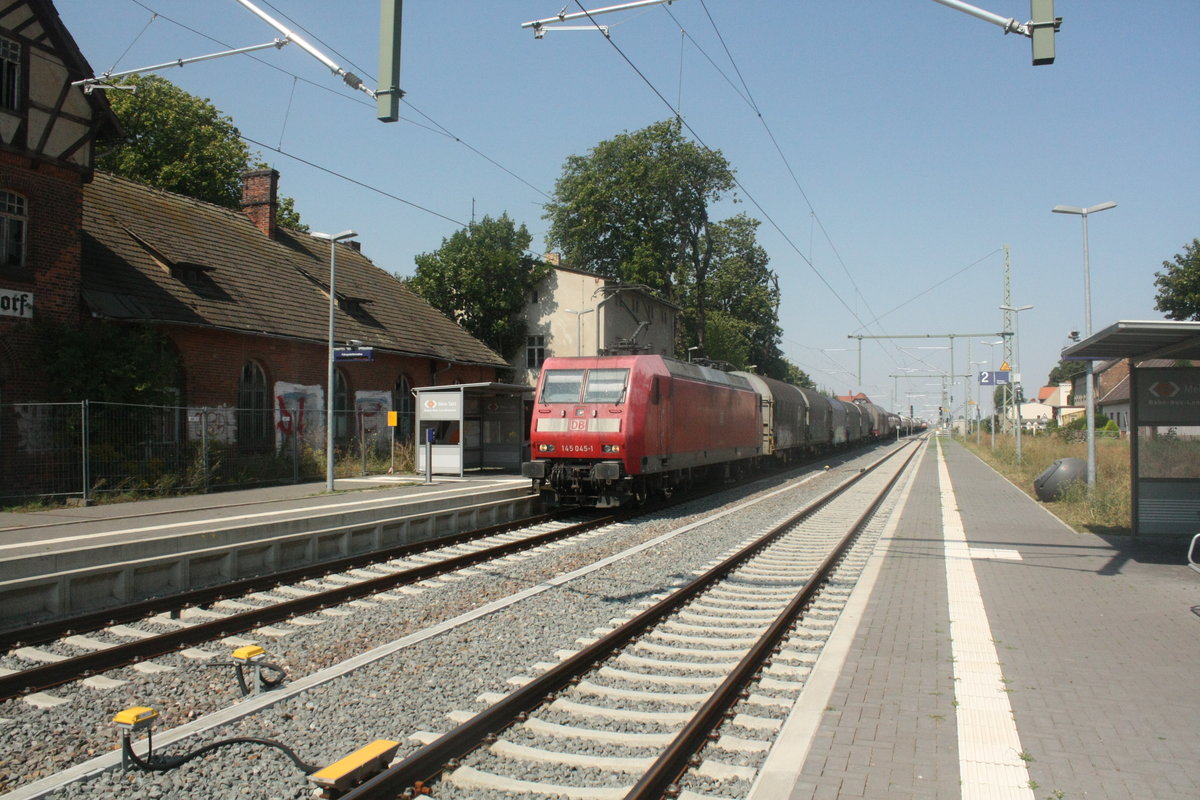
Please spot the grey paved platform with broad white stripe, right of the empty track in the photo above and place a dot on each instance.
(992, 652)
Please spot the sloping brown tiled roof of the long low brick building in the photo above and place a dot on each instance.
(160, 257)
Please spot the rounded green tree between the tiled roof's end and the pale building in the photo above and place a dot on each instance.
(482, 278)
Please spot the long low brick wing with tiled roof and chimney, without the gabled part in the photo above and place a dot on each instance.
(247, 305)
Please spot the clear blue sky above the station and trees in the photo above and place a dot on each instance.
(921, 140)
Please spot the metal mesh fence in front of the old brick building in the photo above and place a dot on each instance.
(88, 450)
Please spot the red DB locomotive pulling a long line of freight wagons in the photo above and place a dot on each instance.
(608, 430)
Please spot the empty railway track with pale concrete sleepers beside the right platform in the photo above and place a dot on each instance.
(639, 713)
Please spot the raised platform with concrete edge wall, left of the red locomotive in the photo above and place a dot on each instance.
(67, 562)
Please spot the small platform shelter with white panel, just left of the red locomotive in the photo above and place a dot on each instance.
(472, 426)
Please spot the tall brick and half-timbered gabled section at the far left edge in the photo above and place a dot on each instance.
(49, 134)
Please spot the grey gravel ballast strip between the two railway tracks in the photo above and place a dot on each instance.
(392, 666)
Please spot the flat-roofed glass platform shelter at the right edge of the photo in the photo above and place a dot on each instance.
(1165, 420)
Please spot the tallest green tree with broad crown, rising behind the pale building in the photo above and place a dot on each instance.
(637, 208)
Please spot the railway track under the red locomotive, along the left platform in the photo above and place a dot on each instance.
(223, 612)
